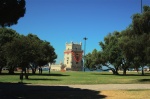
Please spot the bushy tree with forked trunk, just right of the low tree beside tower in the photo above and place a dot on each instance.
(111, 51)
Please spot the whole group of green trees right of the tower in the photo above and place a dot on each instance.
(129, 48)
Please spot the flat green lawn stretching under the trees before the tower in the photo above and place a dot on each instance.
(64, 78)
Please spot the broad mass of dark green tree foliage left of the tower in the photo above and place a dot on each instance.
(24, 51)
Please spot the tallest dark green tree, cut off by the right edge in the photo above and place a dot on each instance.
(141, 28)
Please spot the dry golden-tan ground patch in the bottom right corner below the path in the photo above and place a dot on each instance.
(126, 94)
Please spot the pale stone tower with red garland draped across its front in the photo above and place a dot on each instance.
(73, 56)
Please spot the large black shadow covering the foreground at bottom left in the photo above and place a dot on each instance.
(22, 91)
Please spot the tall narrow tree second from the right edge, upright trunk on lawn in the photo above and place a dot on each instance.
(126, 44)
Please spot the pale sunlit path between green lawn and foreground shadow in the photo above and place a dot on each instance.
(99, 87)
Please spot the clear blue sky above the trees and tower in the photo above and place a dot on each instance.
(61, 21)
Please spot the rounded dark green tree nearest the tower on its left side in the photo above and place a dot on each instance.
(43, 52)
